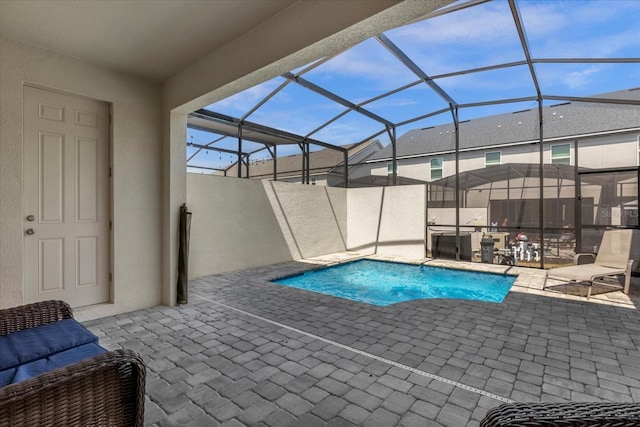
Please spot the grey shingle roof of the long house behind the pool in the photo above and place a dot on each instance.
(560, 121)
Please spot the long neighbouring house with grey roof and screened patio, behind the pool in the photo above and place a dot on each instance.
(594, 144)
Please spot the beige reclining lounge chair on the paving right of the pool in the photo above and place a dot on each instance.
(613, 259)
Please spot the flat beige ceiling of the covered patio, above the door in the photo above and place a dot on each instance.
(154, 39)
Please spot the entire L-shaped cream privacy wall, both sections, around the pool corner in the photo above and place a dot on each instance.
(243, 223)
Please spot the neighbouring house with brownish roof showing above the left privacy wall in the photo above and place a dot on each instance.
(326, 165)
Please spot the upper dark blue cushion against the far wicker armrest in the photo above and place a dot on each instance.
(31, 344)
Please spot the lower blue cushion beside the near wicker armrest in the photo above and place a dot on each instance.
(46, 364)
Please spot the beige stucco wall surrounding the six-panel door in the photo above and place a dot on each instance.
(136, 160)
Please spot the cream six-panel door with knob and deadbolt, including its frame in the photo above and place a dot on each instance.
(66, 198)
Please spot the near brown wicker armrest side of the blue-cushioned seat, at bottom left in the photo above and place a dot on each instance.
(104, 390)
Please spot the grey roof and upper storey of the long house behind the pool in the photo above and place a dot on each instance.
(429, 154)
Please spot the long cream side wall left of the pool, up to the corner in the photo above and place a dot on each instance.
(241, 223)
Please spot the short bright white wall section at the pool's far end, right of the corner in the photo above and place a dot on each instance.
(387, 220)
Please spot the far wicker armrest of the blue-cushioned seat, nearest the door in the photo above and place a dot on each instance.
(31, 315)
